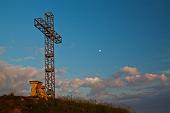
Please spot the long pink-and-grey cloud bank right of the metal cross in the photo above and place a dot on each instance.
(104, 89)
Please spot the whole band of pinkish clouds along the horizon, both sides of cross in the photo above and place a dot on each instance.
(127, 84)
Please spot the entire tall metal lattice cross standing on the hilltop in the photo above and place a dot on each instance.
(46, 26)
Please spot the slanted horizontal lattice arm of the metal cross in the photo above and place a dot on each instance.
(45, 29)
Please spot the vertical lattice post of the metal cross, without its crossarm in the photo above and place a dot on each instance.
(49, 57)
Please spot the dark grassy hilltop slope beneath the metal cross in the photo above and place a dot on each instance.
(20, 104)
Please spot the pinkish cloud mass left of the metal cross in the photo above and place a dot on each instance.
(16, 78)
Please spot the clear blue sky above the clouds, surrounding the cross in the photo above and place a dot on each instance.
(132, 33)
